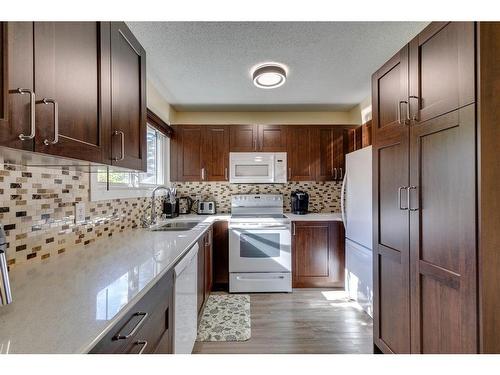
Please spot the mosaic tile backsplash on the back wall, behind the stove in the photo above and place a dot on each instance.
(323, 196)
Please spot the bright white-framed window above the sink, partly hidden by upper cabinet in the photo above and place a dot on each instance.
(109, 183)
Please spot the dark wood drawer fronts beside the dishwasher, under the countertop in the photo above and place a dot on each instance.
(146, 327)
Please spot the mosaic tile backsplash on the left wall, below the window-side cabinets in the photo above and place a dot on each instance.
(37, 211)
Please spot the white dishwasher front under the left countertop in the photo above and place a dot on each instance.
(185, 302)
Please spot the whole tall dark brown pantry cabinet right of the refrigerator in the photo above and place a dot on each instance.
(433, 192)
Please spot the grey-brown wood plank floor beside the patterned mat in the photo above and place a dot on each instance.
(306, 321)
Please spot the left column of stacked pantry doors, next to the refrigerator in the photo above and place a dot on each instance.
(390, 216)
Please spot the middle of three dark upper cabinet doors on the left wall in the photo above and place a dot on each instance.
(72, 69)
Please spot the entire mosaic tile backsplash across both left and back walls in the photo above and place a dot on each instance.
(37, 208)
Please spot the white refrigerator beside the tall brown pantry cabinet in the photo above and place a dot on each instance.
(356, 202)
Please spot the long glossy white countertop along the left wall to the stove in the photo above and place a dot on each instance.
(67, 303)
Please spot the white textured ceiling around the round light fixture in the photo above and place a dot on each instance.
(206, 65)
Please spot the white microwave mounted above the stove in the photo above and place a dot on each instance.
(257, 167)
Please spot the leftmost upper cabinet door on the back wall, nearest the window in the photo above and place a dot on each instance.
(189, 143)
